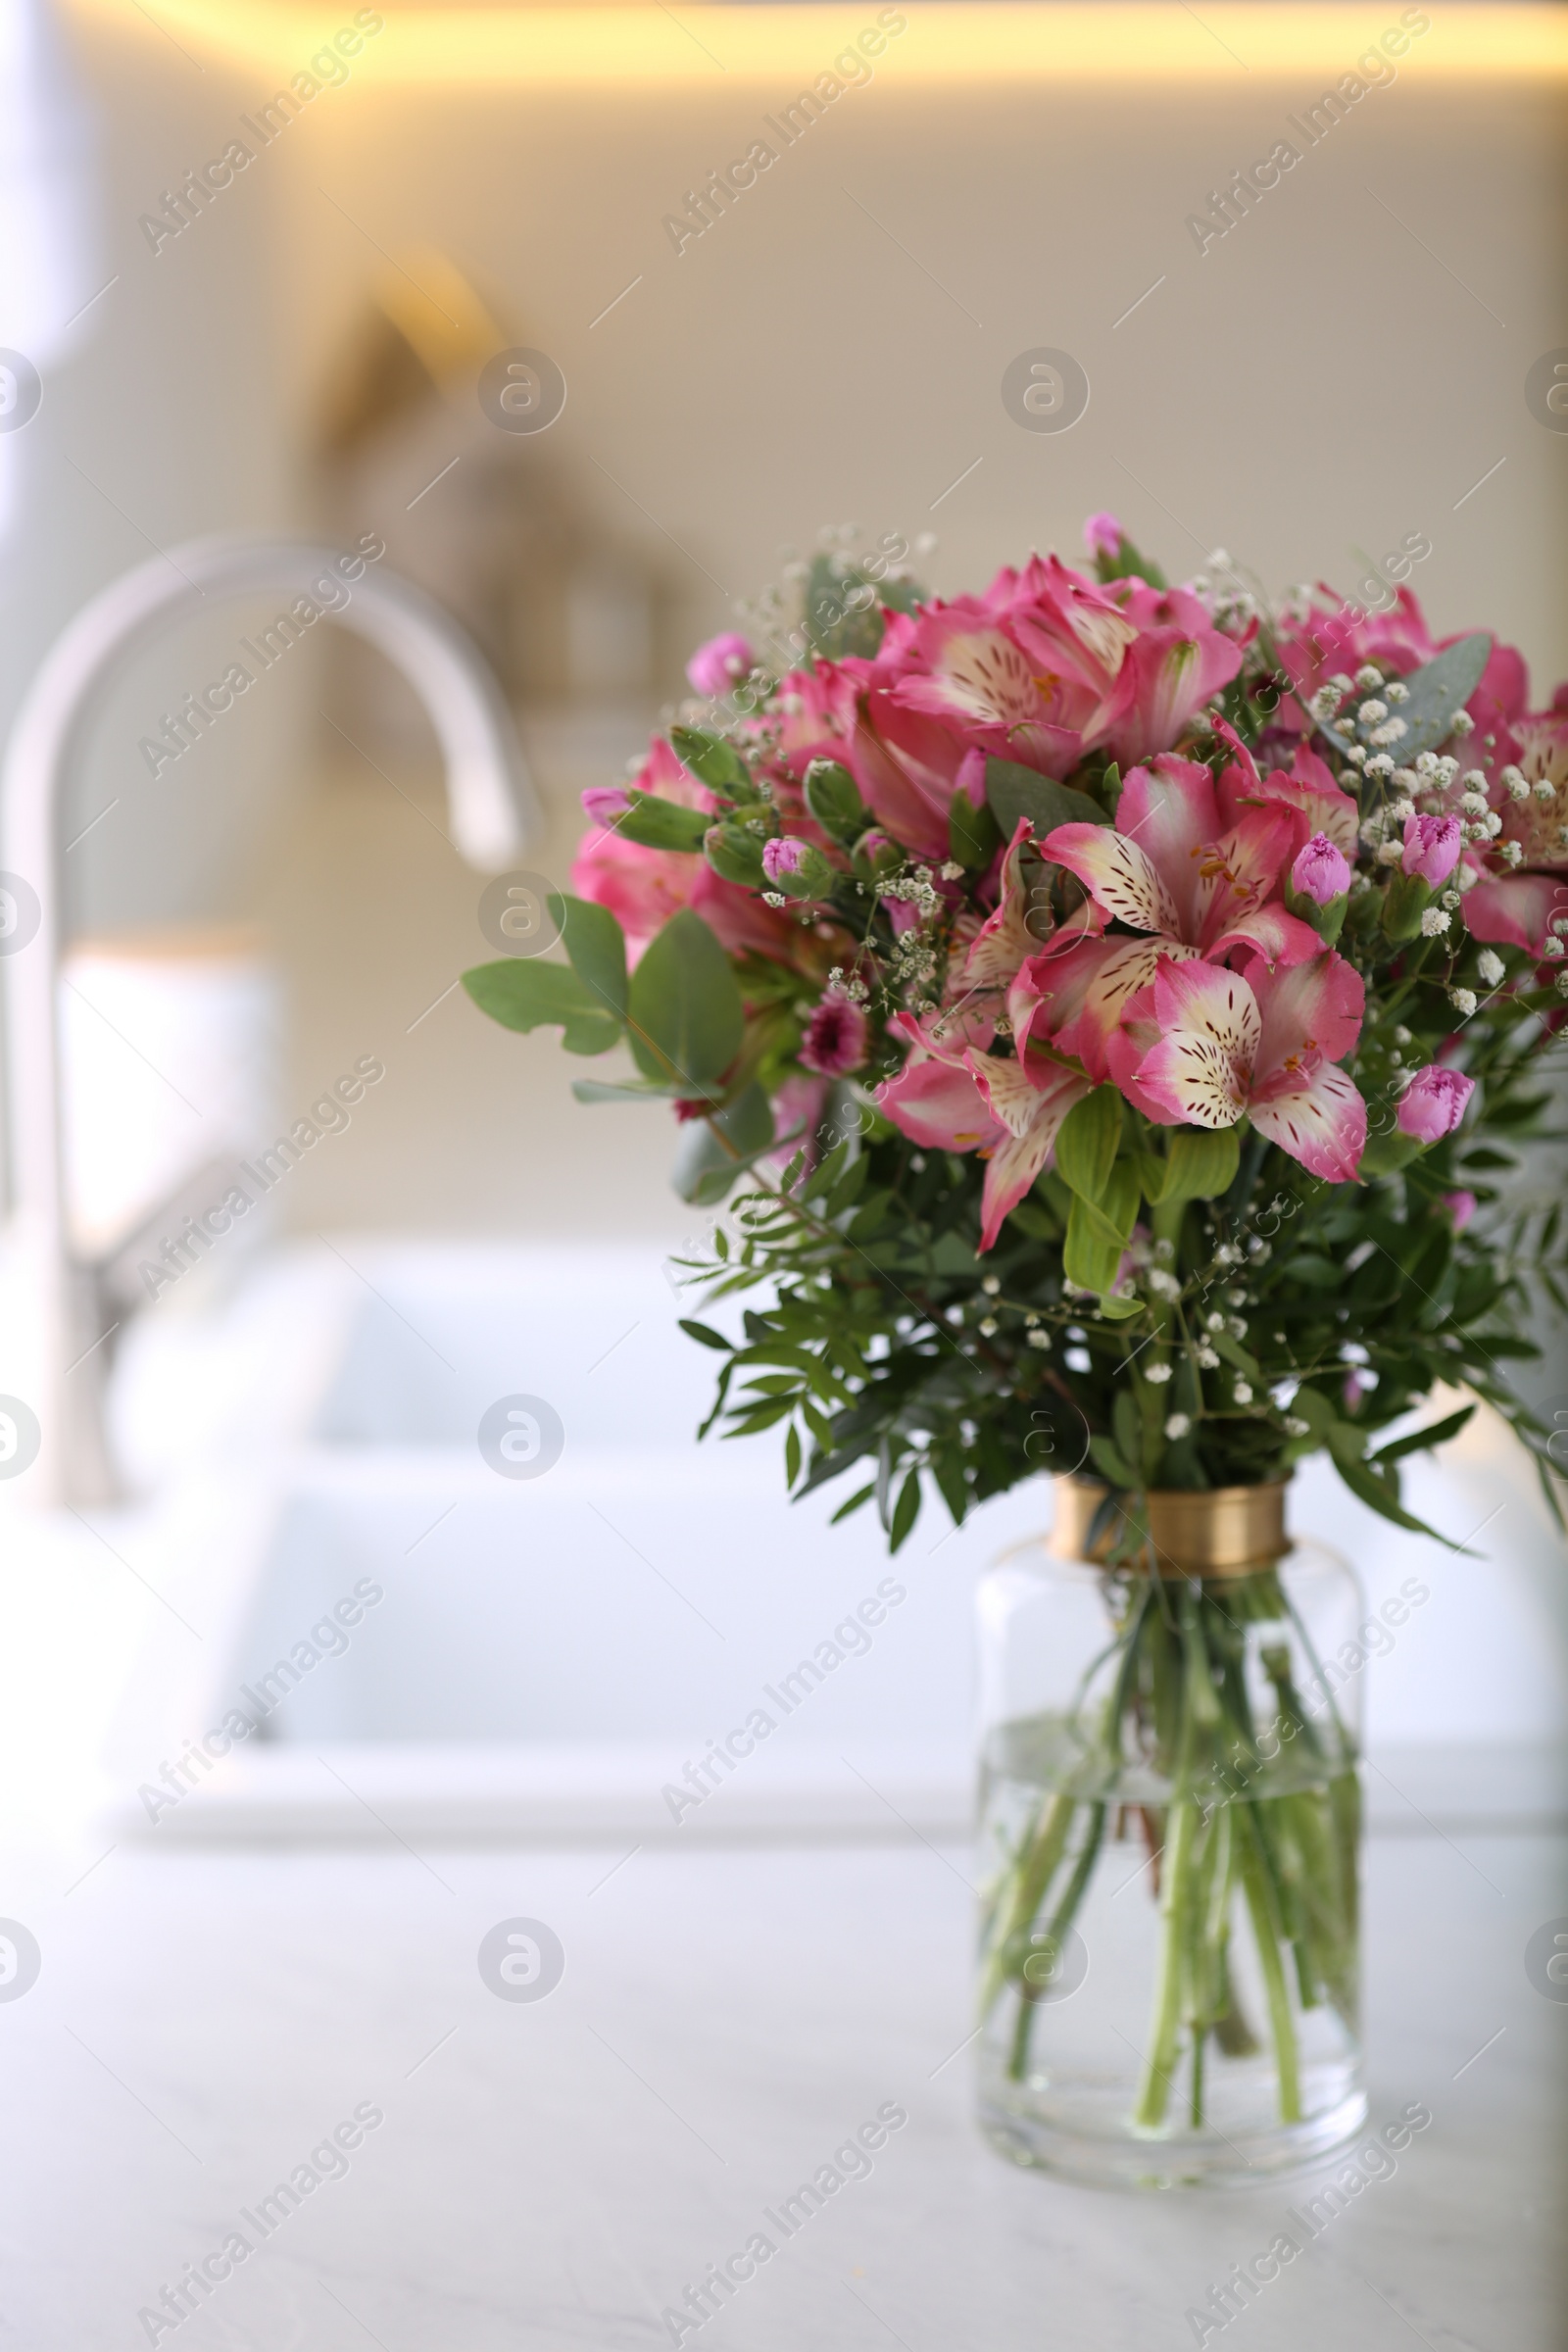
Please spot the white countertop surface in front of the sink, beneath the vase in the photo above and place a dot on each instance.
(556, 2172)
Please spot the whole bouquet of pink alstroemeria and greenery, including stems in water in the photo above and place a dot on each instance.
(1118, 1003)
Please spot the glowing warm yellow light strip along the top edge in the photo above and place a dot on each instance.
(713, 48)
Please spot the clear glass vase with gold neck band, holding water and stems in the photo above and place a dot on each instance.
(1170, 1843)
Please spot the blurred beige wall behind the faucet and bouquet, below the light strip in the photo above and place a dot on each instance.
(1322, 382)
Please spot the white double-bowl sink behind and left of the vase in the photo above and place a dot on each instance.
(645, 1641)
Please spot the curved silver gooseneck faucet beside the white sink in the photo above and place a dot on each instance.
(53, 1304)
